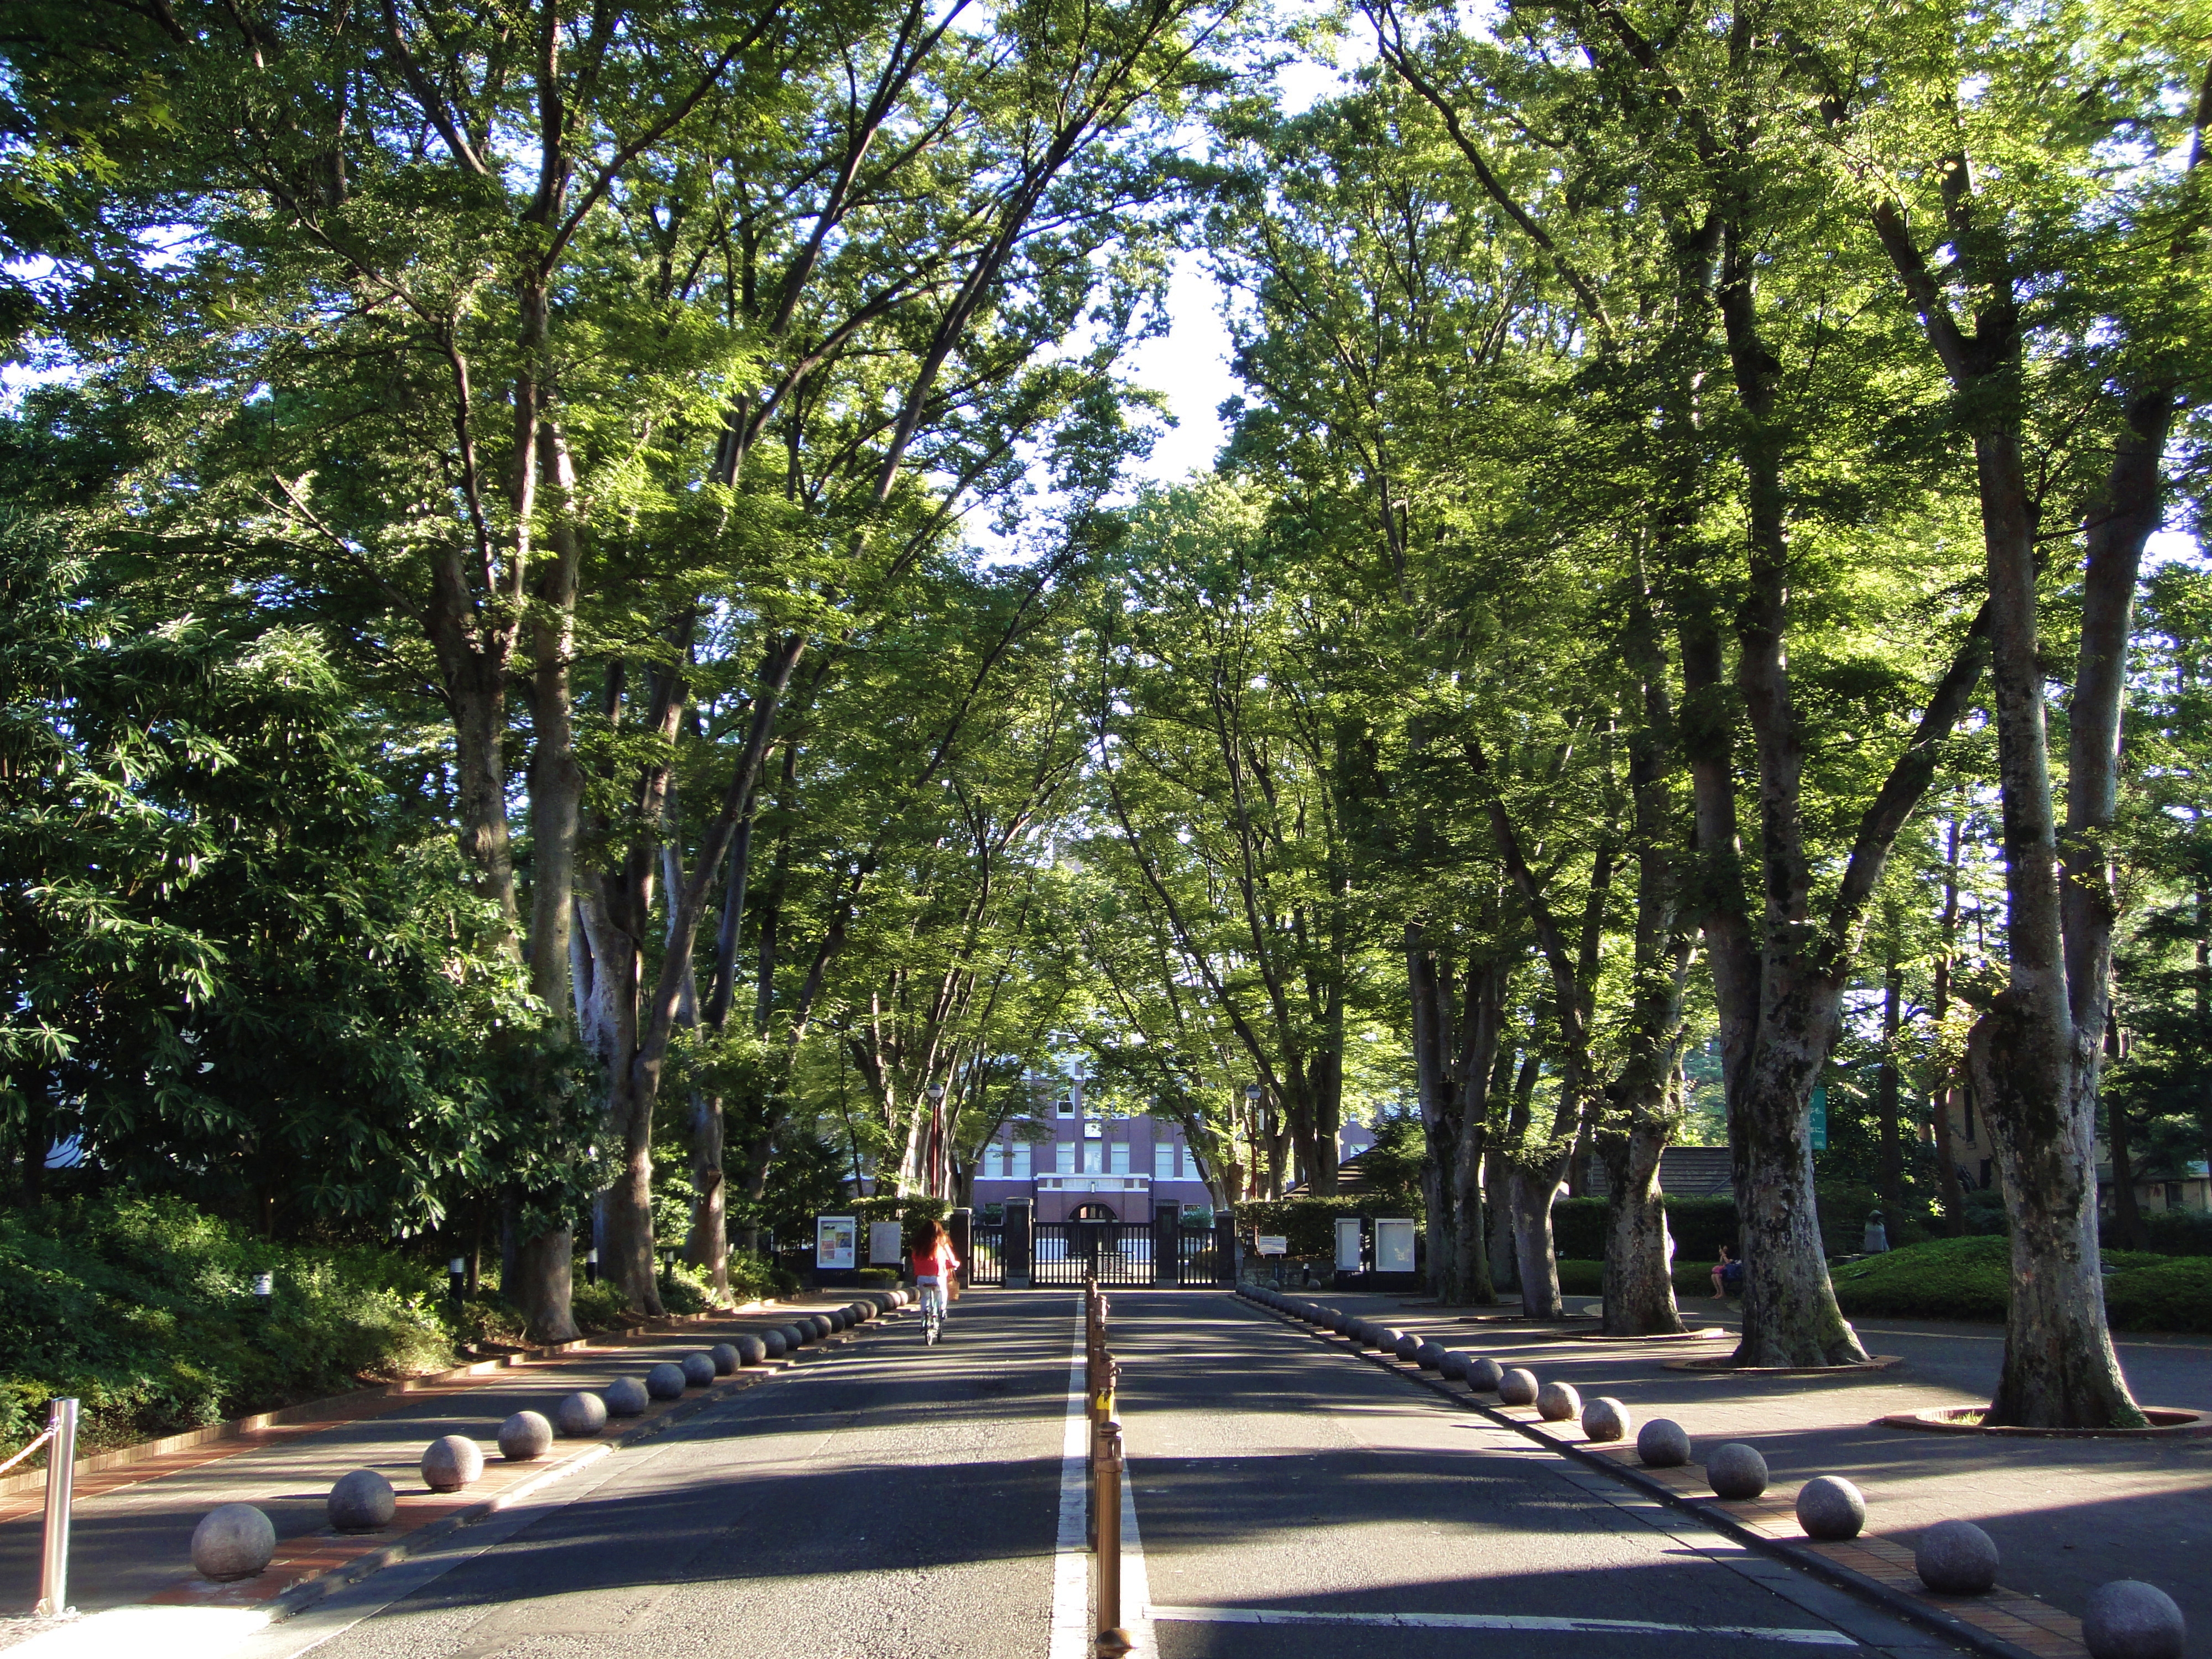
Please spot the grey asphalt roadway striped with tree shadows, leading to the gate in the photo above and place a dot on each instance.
(906, 1503)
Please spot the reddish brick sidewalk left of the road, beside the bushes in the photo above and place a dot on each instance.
(134, 1525)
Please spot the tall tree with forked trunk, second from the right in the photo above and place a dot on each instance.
(1749, 344)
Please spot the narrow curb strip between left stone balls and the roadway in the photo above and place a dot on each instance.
(351, 1567)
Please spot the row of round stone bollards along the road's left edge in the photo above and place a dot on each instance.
(240, 1541)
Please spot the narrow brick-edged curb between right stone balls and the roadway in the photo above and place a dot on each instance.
(2056, 1636)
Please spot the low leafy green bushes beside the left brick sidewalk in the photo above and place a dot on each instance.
(145, 1311)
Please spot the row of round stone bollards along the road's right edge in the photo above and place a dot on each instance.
(2125, 1620)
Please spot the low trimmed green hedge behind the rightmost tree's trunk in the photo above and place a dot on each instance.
(1972, 1280)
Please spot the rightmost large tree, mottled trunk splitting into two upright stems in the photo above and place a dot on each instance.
(2063, 304)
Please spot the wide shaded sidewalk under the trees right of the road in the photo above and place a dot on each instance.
(2067, 1514)
